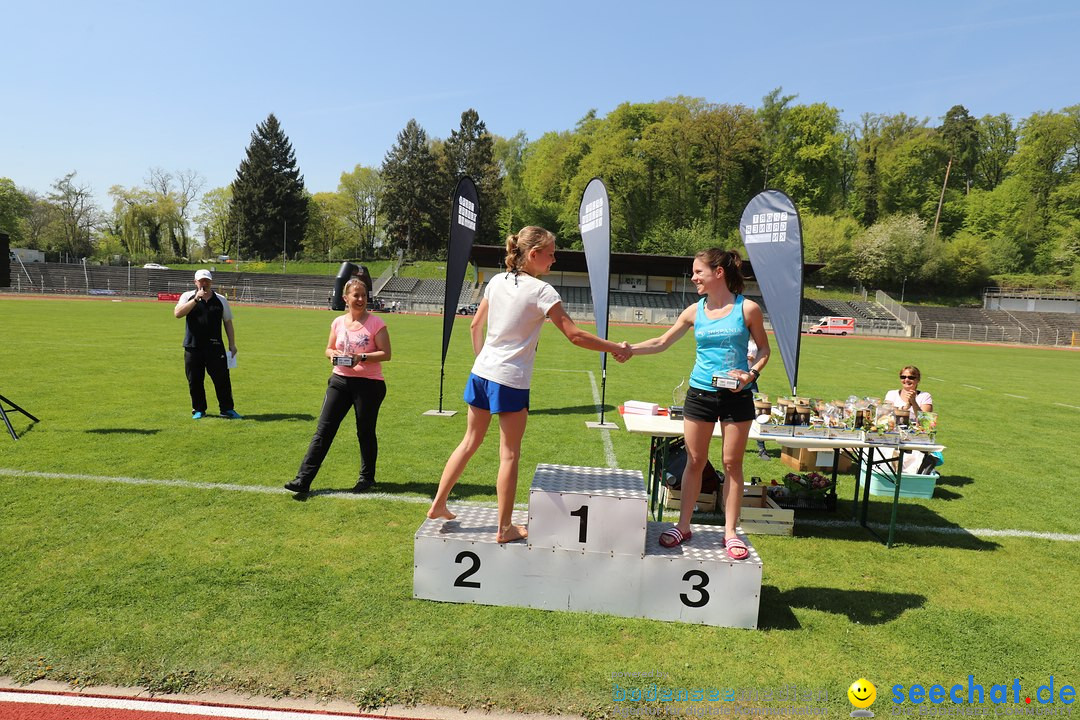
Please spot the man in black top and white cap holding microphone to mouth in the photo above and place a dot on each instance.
(206, 313)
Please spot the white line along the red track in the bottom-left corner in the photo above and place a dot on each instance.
(170, 708)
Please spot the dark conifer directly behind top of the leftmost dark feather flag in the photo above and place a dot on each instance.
(470, 151)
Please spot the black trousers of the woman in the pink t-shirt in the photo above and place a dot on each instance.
(363, 396)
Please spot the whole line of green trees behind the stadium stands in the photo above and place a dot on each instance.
(889, 201)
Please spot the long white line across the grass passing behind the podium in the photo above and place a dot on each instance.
(346, 495)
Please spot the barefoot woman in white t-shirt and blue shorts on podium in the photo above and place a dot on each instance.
(514, 310)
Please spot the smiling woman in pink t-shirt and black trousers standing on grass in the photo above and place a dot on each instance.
(358, 347)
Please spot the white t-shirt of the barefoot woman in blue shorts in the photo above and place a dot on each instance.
(517, 308)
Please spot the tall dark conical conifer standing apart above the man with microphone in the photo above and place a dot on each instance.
(269, 203)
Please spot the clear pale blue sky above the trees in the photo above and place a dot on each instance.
(114, 89)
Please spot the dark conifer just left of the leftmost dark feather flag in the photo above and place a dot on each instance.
(414, 197)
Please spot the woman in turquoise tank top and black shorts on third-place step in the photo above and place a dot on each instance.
(723, 322)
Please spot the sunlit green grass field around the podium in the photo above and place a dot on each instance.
(188, 587)
